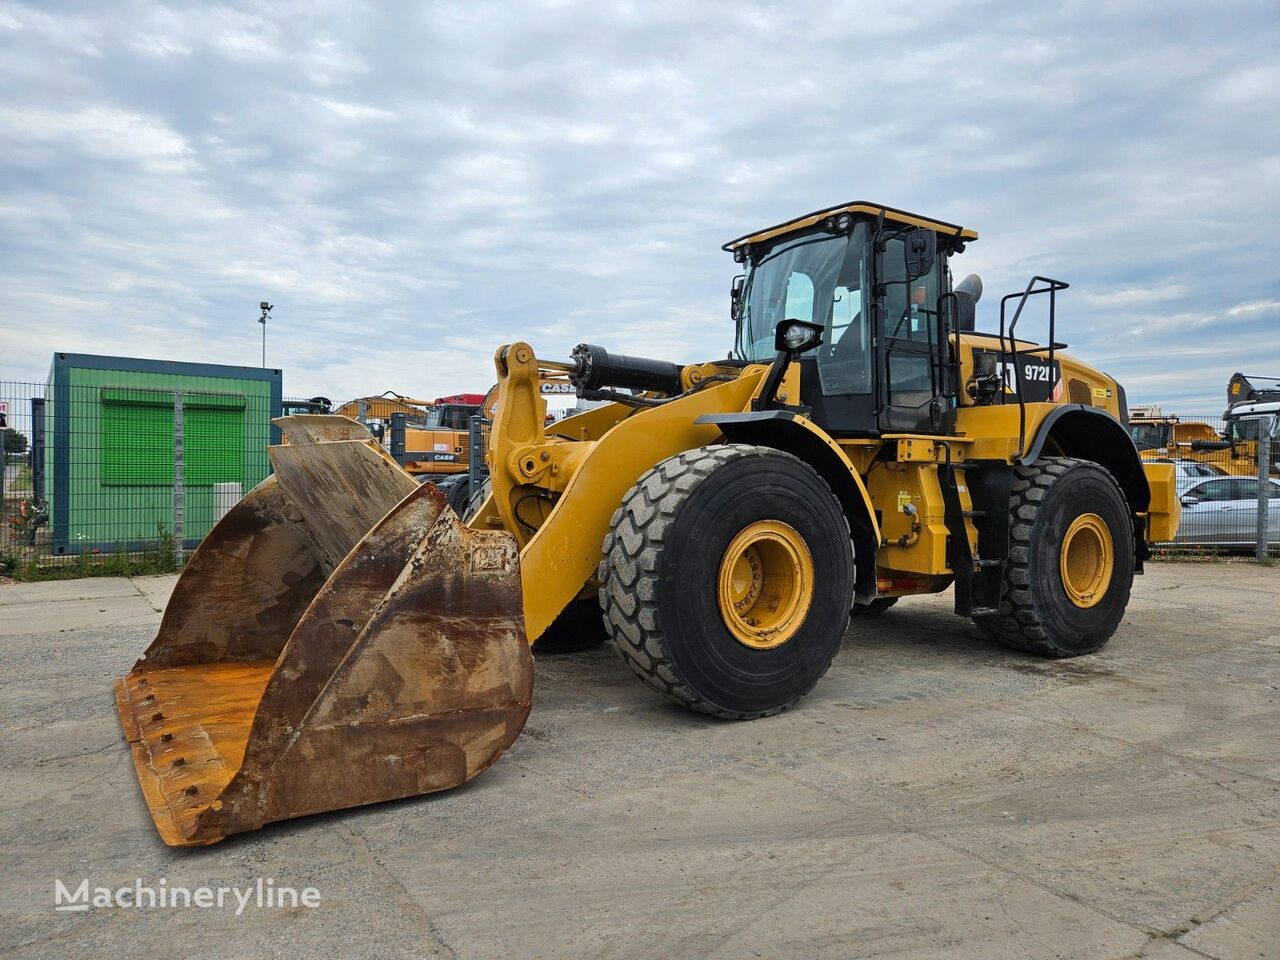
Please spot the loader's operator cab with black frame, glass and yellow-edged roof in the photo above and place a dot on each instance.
(874, 280)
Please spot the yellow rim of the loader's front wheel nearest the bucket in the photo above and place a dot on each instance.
(766, 584)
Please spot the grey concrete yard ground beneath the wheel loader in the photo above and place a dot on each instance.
(936, 797)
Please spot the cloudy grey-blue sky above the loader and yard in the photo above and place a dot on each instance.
(415, 185)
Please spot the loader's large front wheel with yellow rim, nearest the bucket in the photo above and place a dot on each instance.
(671, 569)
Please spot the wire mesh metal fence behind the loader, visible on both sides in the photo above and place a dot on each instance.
(140, 469)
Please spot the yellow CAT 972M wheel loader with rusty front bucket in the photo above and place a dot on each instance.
(344, 638)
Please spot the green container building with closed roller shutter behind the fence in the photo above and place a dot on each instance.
(112, 447)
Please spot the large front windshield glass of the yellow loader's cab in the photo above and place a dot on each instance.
(815, 277)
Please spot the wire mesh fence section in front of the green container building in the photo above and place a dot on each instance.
(118, 473)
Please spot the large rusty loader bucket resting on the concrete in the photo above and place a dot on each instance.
(339, 639)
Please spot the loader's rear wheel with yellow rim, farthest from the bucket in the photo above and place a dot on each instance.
(1075, 508)
